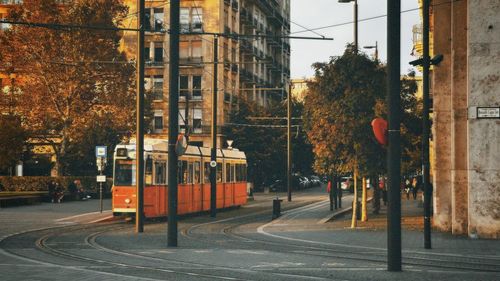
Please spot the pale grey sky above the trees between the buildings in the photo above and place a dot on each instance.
(319, 13)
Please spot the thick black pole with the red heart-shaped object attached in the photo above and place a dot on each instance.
(394, 151)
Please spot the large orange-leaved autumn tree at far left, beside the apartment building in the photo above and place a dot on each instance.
(69, 75)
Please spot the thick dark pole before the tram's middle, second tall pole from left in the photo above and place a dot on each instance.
(173, 122)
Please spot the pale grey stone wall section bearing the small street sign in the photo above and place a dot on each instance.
(484, 134)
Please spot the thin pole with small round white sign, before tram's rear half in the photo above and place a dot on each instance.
(213, 150)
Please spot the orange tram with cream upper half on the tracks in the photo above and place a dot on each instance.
(193, 179)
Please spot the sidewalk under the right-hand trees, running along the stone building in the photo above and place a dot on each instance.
(373, 233)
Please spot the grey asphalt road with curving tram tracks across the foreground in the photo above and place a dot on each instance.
(70, 241)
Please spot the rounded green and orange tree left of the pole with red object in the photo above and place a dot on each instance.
(339, 108)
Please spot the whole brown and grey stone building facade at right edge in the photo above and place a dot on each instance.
(466, 125)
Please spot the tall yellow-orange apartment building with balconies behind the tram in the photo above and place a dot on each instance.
(254, 67)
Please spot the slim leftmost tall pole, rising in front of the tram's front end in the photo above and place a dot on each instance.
(139, 211)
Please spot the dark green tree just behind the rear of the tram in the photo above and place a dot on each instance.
(264, 141)
